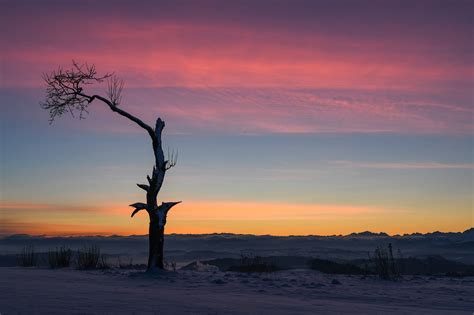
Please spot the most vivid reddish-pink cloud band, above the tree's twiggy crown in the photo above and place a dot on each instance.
(199, 54)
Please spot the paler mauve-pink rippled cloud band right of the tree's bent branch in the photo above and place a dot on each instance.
(283, 110)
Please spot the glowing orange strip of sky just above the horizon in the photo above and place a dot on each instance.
(203, 217)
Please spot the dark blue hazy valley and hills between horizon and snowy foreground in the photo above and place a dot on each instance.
(183, 249)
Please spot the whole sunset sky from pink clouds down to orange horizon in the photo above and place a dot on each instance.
(290, 117)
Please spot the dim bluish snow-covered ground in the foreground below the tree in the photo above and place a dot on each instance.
(69, 291)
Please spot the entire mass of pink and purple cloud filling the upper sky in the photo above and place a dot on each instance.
(244, 75)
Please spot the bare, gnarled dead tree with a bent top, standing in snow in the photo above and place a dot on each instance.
(65, 94)
